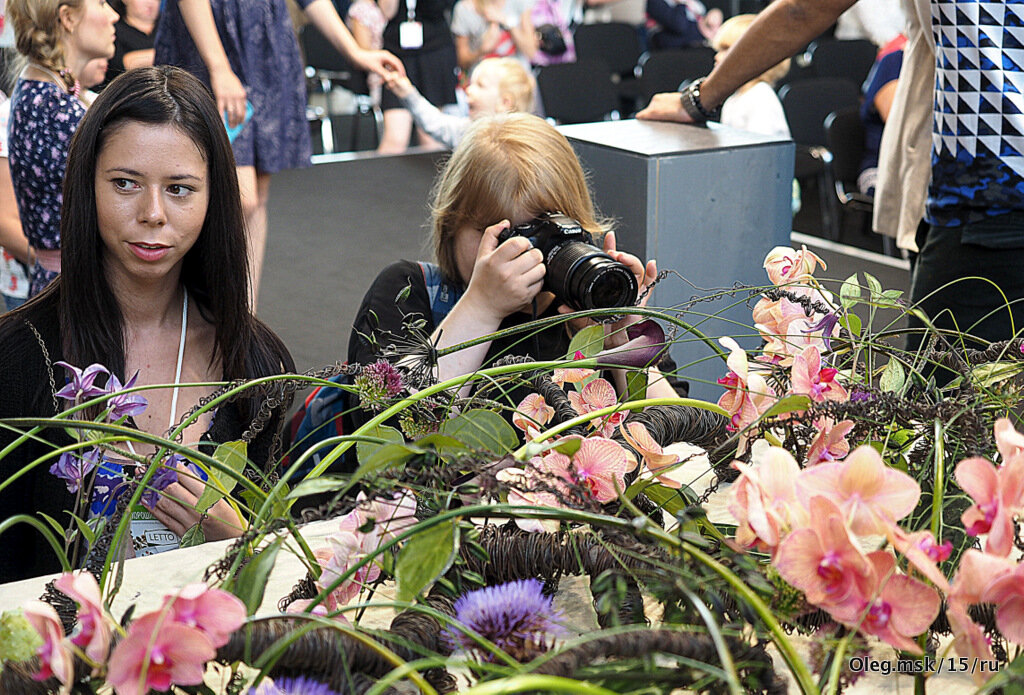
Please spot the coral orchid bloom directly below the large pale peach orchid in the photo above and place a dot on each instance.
(824, 562)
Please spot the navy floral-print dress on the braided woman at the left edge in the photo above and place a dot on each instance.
(44, 117)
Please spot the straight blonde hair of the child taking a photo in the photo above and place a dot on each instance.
(510, 166)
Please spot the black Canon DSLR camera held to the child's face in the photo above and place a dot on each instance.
(578, 273)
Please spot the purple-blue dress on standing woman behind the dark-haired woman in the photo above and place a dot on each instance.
(260, 40)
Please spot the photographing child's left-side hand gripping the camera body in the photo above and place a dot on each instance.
(506, 276)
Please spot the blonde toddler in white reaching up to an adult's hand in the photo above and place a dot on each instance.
(497, 86)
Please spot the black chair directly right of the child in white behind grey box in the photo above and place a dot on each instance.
(807, 104)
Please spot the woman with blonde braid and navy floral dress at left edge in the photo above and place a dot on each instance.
(58, 38)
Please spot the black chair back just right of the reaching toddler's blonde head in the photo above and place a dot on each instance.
(578, 93)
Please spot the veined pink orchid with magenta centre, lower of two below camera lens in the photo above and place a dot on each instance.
(600, 467)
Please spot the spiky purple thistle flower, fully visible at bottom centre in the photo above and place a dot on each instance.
(517, 617)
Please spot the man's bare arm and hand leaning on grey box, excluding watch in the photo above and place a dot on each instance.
(784, 28)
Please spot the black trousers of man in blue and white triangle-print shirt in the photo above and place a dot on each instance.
(958, 284)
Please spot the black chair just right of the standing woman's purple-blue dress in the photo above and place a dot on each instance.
(329, 69)
